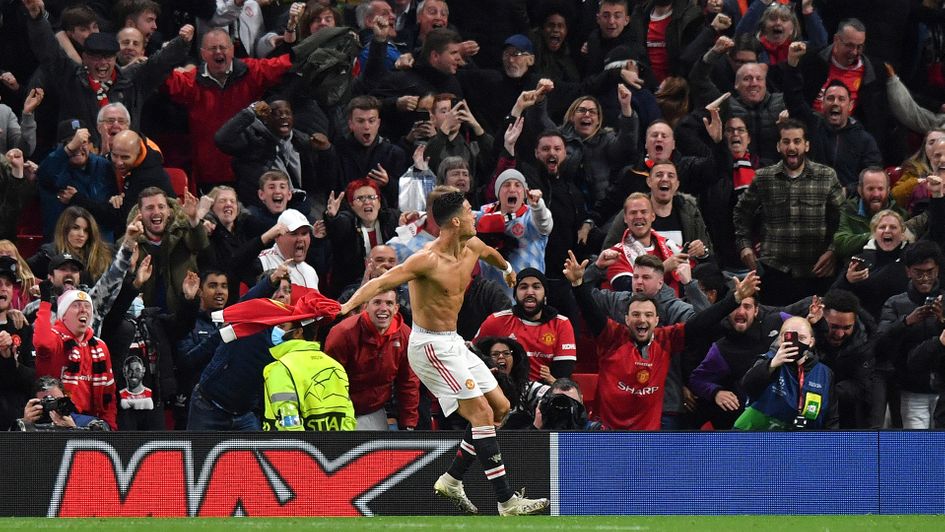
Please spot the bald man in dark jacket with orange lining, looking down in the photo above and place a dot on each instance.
(135, 167)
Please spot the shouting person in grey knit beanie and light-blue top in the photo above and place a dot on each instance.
(519, 223)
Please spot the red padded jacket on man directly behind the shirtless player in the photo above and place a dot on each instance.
(374, 361)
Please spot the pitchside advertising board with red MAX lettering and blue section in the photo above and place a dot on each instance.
(176, 474)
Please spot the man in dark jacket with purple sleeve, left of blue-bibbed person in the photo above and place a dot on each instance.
(747, 331)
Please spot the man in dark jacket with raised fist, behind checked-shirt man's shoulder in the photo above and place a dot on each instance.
(837, 139)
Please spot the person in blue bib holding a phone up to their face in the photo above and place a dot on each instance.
(789, 388)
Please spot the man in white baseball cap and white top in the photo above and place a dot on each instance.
(291, 249)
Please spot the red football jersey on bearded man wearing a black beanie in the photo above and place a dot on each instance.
(544, 342)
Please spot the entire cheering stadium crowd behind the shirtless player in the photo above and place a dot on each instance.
(721, 213)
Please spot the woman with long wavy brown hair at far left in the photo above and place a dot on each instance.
(76, 233)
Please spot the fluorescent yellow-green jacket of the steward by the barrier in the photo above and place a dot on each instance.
(305, 389)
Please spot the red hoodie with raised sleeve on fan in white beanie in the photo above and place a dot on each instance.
(83, 364)
